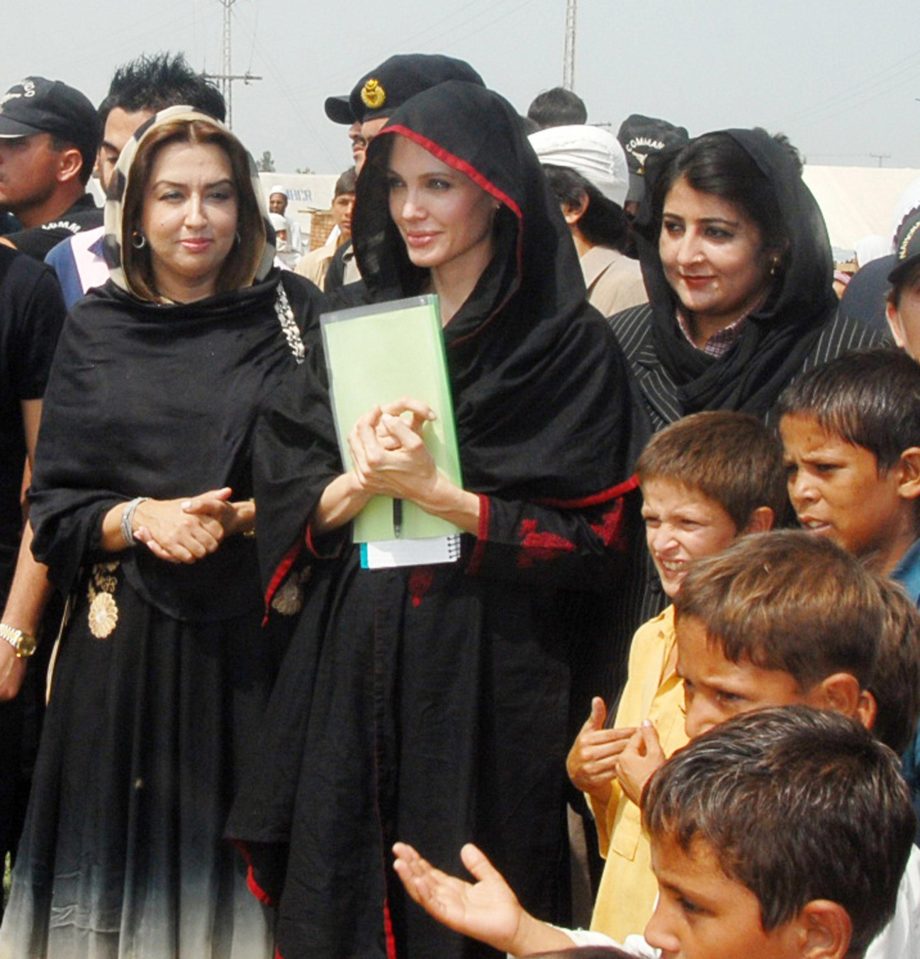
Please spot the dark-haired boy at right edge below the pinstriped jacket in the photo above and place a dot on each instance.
(851, 441)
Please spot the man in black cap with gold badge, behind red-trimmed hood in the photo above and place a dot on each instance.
(372, 102)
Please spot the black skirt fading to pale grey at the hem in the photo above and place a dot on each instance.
(122, 853)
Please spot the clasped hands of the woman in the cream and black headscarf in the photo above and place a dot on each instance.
(187, 530)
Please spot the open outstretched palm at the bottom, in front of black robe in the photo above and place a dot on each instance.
(486, 909)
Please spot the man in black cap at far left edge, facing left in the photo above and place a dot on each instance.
(49, 134)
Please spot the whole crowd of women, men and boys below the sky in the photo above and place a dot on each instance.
(662, 698)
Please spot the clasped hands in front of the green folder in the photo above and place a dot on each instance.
(388, 453)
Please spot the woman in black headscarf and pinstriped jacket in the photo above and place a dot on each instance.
(739, 271)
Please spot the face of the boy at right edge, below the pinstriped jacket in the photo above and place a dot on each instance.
(837, 491)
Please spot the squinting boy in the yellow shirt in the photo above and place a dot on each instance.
(705, 479)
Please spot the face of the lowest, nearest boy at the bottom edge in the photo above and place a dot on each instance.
(704, 914)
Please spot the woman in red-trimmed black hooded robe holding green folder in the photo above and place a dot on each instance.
(431, 702)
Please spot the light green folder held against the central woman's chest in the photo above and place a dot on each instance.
(376, 355)
